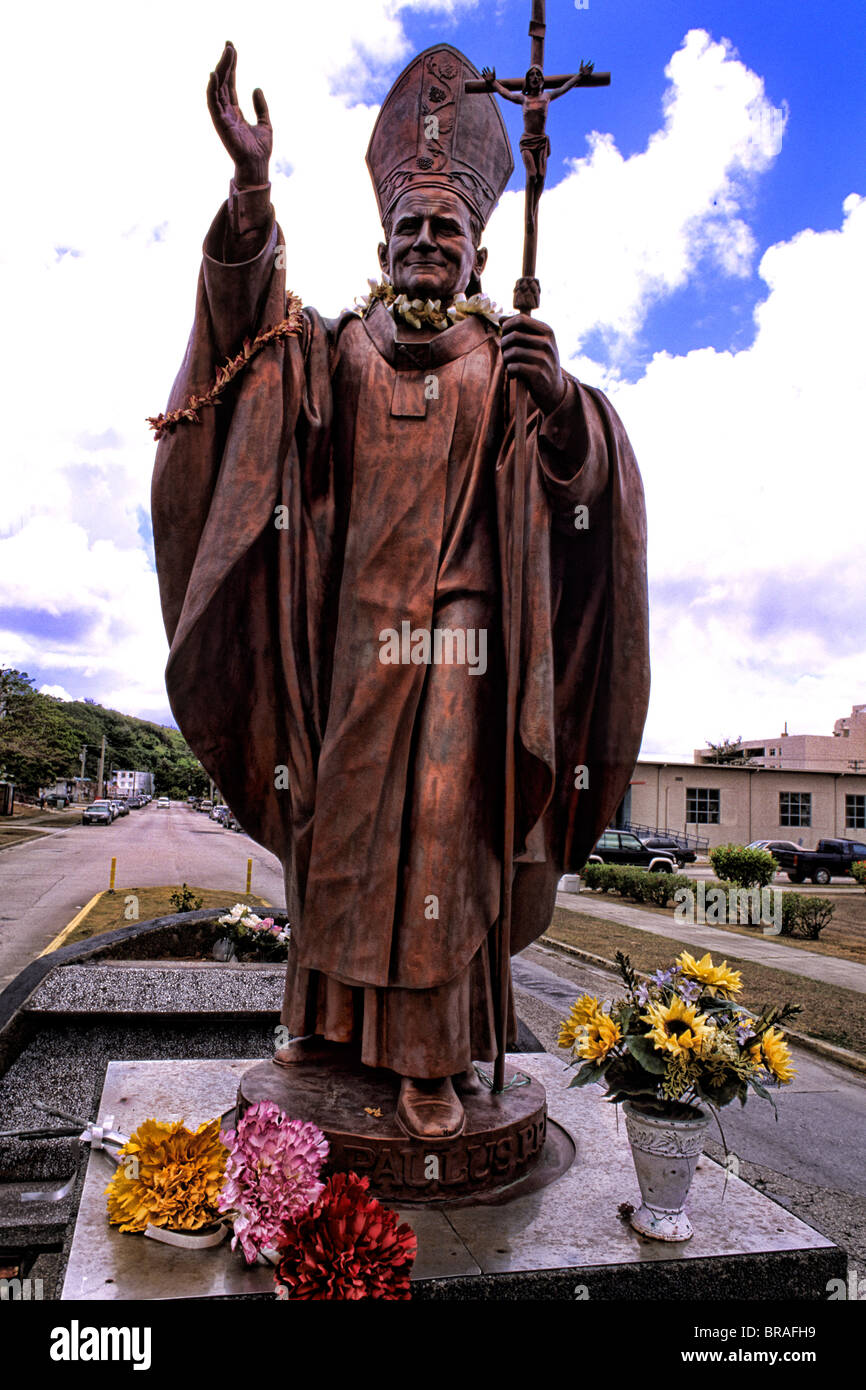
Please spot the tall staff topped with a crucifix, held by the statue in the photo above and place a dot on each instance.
(528, 92)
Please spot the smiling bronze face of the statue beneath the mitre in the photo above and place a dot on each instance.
(432, 254)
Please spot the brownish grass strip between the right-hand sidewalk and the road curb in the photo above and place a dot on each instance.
(831, 1014)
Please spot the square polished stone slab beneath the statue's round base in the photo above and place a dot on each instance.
(565, 1241)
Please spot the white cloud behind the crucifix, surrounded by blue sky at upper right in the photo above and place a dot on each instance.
(619, 234)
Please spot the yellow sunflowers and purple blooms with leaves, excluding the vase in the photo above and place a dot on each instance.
(679, 1038)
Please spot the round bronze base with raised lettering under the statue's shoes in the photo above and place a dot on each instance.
(501, 1154)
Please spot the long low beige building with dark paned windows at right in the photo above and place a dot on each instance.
(729, 804)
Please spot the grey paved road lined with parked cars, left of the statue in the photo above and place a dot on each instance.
(45, 882)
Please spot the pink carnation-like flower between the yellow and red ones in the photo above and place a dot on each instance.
(272, 1175)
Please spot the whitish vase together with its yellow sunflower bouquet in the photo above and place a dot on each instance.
(669, 1045)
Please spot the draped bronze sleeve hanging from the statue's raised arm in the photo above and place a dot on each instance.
(238, 593)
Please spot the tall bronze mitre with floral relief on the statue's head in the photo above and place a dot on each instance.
(432, 133)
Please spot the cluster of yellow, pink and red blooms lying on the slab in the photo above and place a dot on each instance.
(262, 1181)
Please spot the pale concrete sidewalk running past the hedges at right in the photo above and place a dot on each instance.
(847, 975)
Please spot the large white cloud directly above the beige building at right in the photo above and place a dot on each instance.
(753, 465)
